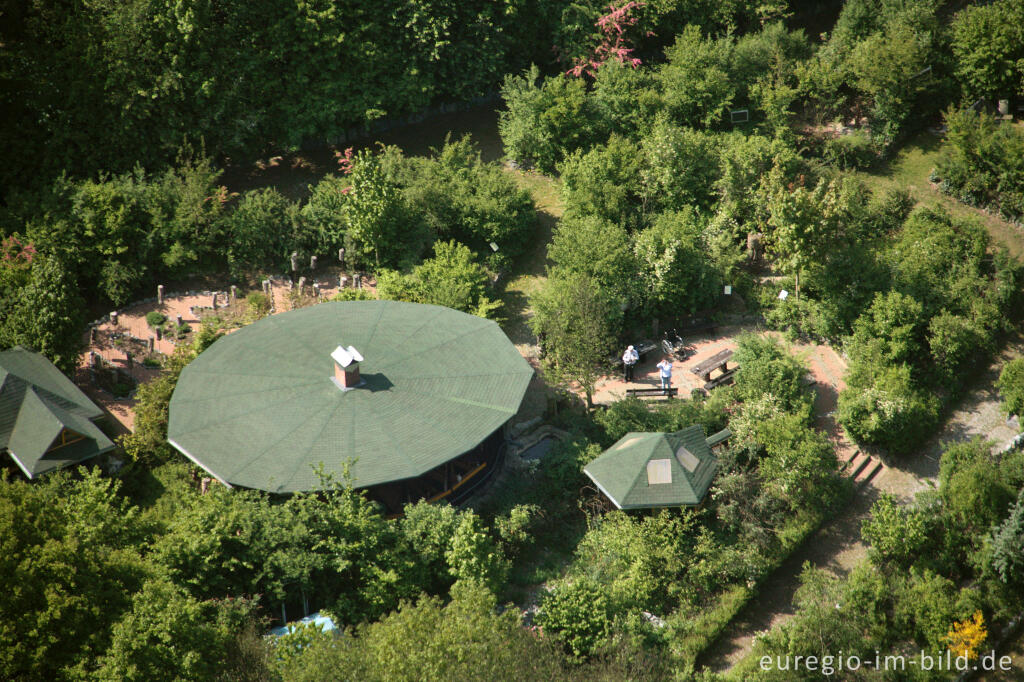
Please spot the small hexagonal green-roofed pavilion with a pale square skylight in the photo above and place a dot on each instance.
(646, 471)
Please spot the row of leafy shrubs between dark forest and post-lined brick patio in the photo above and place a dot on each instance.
(118, 236)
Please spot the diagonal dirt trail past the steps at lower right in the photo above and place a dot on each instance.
(837, 547)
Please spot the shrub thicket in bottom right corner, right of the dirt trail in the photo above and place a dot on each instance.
(932, 565)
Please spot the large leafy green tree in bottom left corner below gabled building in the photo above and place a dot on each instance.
(71, 560)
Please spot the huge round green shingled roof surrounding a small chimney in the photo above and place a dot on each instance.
(259, 409)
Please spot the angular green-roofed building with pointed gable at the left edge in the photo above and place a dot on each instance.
(47, 422)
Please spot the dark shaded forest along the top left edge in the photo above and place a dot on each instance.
(104, 87)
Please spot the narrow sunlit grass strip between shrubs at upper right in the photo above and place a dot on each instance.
(910, 169)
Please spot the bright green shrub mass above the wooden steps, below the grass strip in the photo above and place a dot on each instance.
(948, 305)
